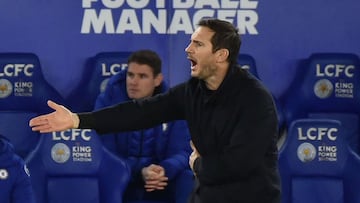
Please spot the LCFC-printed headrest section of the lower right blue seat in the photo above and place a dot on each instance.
(314, 146)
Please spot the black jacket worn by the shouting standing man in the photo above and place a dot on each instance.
(234, 129)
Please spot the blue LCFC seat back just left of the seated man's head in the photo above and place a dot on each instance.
(96, 74)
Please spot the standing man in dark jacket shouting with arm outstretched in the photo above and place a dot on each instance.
(231, 116)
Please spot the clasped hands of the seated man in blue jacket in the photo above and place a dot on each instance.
(154, 177)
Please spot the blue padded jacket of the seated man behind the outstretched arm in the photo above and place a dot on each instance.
(166, 144)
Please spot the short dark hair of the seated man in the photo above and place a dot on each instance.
(147, 57)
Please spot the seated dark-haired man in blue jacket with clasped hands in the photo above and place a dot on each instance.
(158, 156)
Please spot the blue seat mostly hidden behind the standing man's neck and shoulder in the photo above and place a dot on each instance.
(247, 62)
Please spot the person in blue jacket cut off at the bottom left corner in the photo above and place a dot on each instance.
(15, 185)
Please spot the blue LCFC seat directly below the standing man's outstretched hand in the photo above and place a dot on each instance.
(73, 166)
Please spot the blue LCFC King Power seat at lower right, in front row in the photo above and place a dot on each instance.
(317, 165)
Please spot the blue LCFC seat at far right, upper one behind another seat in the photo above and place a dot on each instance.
(327, 85)
